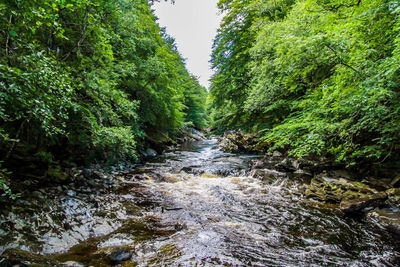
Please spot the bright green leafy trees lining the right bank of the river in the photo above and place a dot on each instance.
(316, 77)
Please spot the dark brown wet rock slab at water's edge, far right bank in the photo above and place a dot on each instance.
(359, 205)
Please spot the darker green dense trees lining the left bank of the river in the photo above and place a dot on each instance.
(89, 79)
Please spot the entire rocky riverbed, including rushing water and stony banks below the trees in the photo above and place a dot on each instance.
(198, 205)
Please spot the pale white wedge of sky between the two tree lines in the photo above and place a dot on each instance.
(193, 24)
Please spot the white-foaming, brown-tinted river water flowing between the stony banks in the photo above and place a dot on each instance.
(198, 206)
